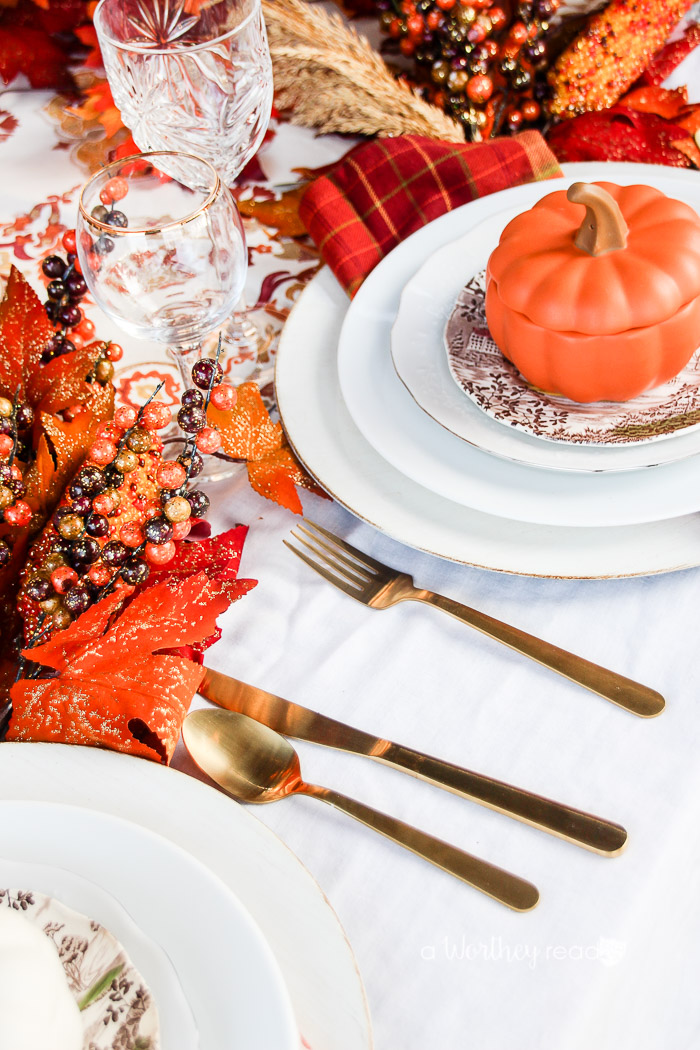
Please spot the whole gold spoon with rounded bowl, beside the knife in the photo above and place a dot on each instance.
(257, 765)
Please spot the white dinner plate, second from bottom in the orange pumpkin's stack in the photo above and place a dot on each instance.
(415, 445)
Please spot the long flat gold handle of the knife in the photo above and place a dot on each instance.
(583, 829)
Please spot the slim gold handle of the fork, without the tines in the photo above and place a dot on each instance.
(631, 696)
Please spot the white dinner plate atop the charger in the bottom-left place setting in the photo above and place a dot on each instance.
(227, 971)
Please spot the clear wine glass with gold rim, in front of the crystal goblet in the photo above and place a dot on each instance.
(164, 255)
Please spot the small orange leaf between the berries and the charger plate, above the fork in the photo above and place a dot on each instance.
(249, 434)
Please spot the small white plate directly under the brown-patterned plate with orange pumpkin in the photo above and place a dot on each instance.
(422, 363)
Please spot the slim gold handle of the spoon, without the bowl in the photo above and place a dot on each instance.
(501, 886)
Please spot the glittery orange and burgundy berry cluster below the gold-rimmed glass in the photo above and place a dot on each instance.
(97, 548)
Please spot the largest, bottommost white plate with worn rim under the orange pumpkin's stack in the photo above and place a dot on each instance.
(327, 440)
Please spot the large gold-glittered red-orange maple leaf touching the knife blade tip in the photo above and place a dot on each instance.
(114, 688)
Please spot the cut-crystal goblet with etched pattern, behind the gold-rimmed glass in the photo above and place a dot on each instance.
(198, 82)
